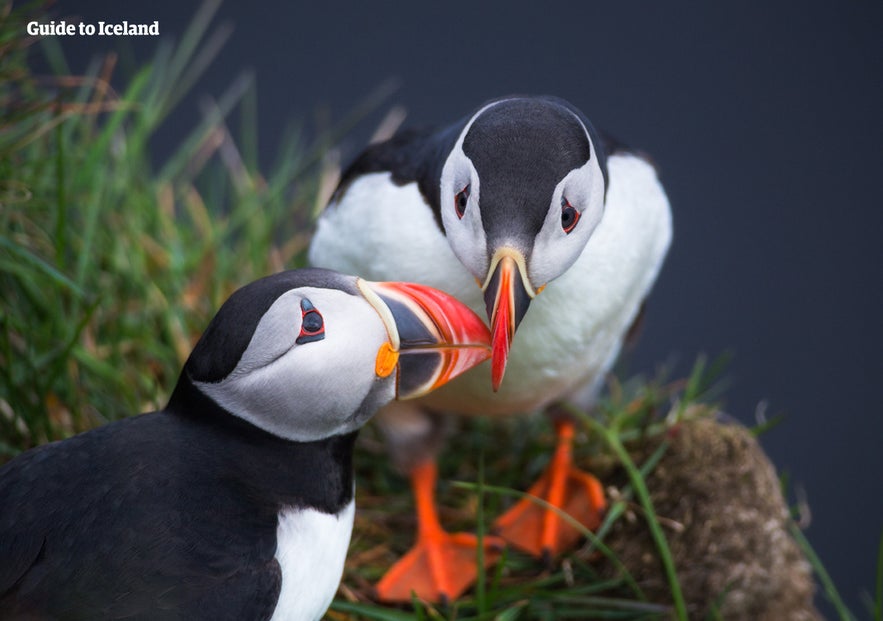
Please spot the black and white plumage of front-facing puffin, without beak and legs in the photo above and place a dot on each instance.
(395, 215)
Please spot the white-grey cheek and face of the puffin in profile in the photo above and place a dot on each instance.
(305, 377)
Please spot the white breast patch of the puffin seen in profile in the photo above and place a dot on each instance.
(311, 547)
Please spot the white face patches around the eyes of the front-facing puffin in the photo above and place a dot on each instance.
(573, 212)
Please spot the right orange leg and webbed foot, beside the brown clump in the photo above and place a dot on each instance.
(540, 531)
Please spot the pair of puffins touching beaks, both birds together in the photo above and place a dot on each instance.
(236, 500)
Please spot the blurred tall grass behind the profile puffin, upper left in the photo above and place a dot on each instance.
(110, 268)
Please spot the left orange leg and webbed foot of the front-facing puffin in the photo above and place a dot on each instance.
(440, 566)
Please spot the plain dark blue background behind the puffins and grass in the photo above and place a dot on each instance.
(766, 126)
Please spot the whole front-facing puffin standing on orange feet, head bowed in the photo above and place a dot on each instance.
(556, 232)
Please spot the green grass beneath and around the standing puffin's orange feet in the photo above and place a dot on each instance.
(519, 587)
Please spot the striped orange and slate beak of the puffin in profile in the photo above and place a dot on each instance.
(433, 337)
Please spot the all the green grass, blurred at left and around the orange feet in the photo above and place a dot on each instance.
(111, 265)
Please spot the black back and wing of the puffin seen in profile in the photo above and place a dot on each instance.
(117, 524)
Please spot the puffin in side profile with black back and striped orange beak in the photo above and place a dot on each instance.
(235, 501)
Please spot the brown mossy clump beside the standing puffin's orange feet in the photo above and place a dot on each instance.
(727, 523)
